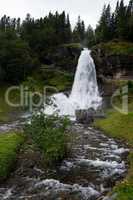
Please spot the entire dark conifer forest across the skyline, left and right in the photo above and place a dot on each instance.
(25, 43)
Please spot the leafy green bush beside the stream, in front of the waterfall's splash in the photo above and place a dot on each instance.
(49, 134)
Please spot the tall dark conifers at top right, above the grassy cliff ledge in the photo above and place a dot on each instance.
(117, 24)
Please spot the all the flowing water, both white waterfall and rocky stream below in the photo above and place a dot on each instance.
(95, 163)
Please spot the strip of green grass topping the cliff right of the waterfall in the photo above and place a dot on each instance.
(117, 48)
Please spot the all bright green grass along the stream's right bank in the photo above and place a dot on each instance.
(120, 126)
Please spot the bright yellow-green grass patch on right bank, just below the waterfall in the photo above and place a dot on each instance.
(118, 125)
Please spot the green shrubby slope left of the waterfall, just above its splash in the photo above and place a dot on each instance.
(47, 76)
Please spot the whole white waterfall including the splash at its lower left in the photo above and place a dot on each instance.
(84, 94)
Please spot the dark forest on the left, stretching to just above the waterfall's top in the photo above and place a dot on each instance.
(25, 44)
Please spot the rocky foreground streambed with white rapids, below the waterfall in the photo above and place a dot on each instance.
(95, 164)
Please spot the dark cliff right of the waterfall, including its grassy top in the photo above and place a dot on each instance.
(115, 62)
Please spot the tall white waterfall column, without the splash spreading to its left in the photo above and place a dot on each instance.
(85, 92)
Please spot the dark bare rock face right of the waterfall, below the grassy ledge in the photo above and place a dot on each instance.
(112, 65)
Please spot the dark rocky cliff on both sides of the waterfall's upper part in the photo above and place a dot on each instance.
(112, 60)
